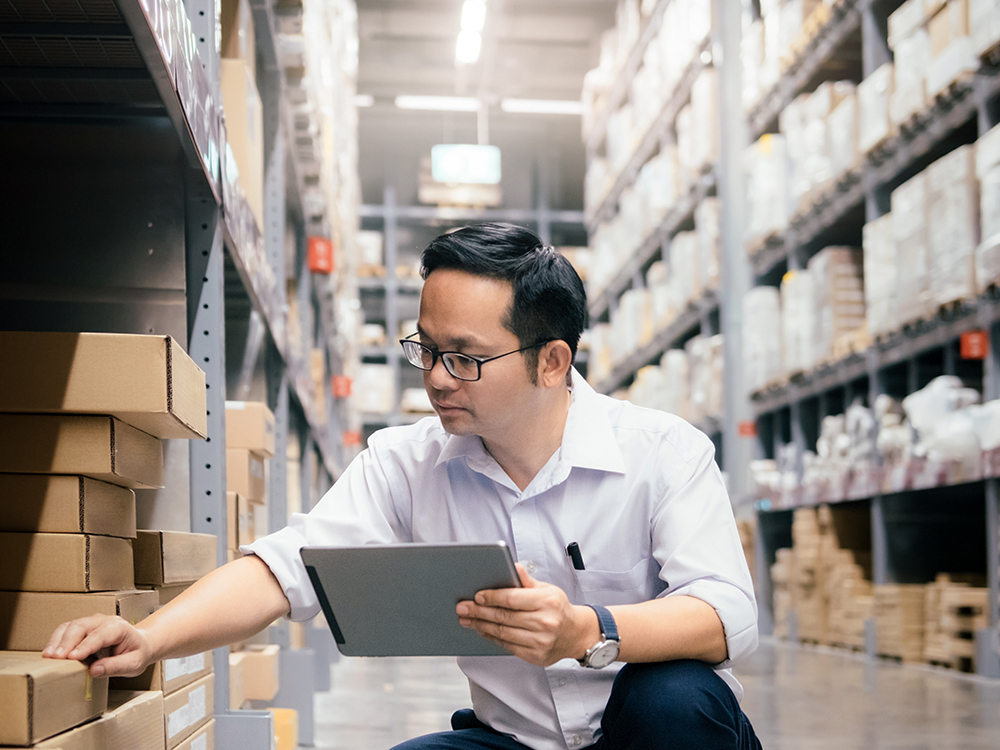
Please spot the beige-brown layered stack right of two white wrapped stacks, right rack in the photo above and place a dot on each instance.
(838, 299)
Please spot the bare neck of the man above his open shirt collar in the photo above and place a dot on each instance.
(523, 455)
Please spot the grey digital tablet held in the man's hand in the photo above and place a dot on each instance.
(399, 599)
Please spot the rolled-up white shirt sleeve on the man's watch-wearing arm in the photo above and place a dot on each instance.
(696, 540)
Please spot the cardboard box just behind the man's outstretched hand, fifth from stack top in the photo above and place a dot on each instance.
(28, 618)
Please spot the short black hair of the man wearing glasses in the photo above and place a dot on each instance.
(549, 300)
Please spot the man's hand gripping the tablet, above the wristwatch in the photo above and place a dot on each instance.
(536, 623)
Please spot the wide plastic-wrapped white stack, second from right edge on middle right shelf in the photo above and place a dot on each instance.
(952, 226)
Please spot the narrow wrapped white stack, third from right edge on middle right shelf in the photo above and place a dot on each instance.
(909, 234)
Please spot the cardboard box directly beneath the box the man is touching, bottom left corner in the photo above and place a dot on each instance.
(133, 720)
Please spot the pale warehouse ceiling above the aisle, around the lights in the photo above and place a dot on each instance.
(531, 49)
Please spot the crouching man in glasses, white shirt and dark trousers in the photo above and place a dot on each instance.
(627, 548)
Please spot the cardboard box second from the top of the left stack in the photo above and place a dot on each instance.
(97, 447)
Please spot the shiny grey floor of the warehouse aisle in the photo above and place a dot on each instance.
(801, 698)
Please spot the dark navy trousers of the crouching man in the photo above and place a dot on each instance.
(675, 705)
